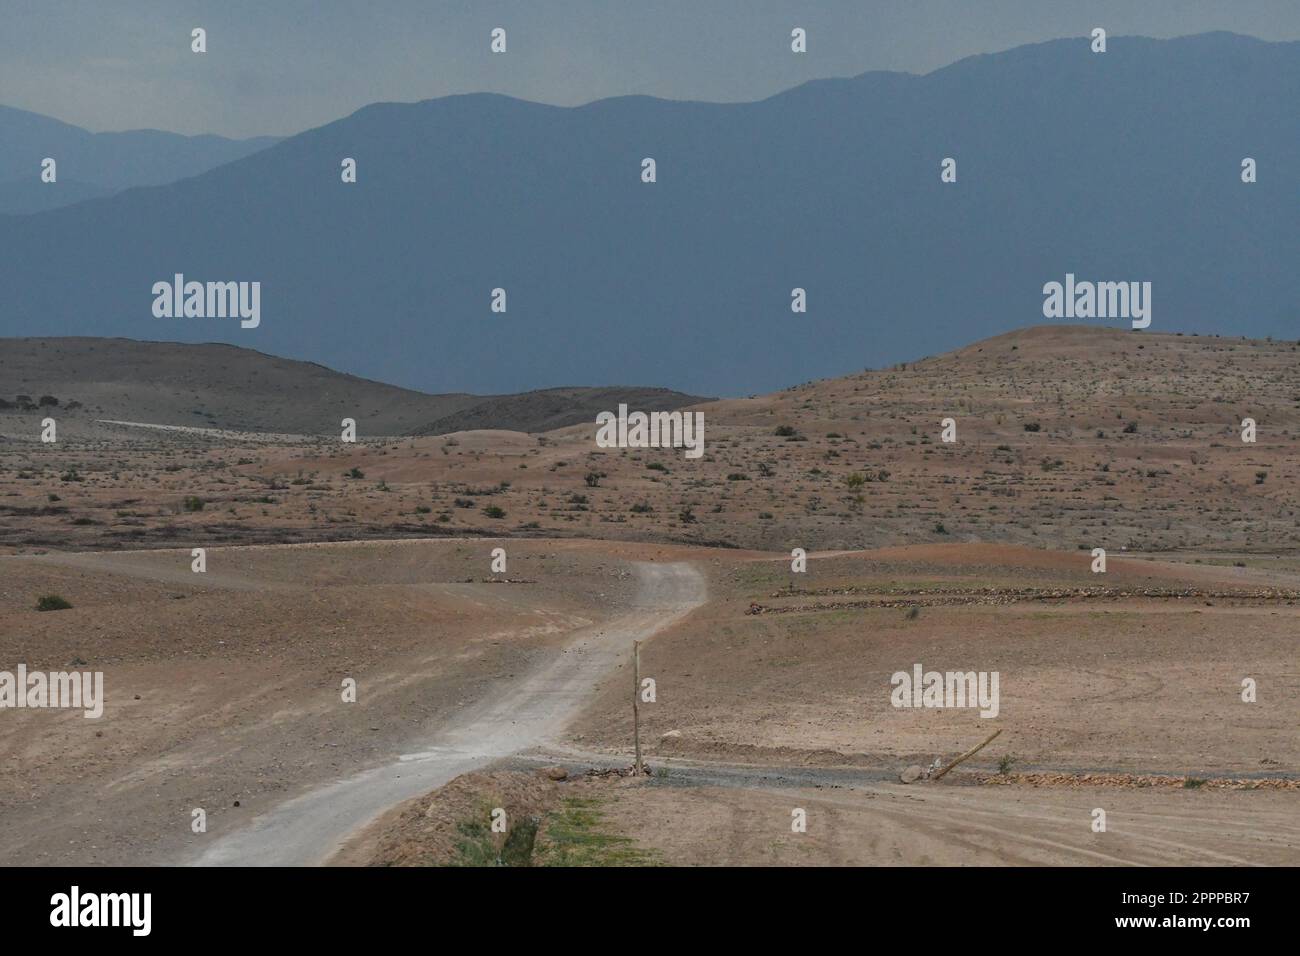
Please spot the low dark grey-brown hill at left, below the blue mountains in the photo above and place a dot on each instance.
(229, 388)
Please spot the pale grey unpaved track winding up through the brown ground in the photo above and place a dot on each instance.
(310, 829)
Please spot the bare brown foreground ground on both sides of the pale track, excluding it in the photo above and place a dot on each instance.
(239, 672)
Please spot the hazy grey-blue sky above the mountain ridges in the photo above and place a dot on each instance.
(279, 67)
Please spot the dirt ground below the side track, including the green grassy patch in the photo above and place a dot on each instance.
(669, 820)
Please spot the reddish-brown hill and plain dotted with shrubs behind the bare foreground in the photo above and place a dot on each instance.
(1067, 438)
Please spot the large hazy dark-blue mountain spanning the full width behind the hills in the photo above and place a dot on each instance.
(1113, 167)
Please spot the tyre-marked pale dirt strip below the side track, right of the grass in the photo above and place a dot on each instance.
(892, 825)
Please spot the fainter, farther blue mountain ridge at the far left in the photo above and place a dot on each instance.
(99, 165)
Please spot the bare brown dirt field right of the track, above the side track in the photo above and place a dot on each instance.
(1132, 684)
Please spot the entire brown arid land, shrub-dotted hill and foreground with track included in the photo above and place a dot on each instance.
(773, 690)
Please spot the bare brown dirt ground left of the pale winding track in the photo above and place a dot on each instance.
(240, 690)
